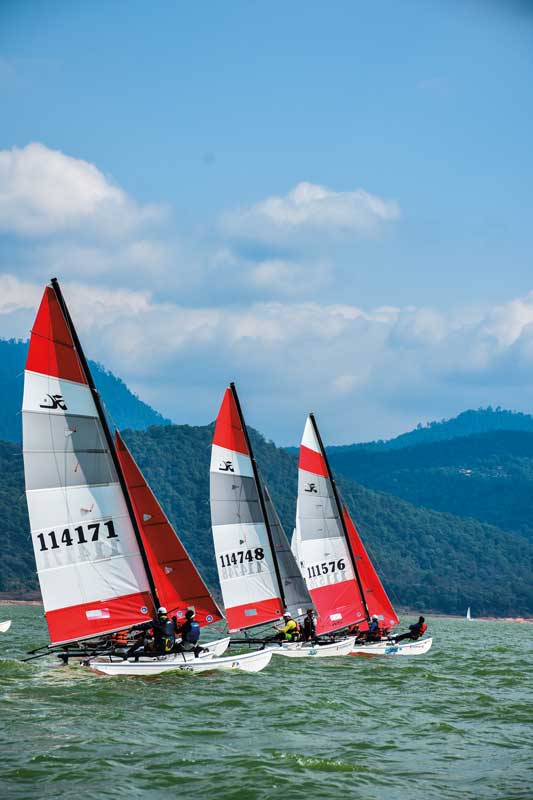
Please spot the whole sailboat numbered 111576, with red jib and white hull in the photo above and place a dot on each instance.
(340, 576)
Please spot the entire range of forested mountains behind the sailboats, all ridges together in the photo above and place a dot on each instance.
(429, 559)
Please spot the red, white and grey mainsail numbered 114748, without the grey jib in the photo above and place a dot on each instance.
(246, 568)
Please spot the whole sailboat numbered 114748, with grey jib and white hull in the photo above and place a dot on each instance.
(259, 576)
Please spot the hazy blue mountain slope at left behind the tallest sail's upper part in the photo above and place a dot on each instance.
(124, 407)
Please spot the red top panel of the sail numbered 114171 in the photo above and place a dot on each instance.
(51, 350)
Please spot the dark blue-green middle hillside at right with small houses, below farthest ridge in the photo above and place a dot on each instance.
(488, 476)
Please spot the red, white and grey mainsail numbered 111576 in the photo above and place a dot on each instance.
(320, 543)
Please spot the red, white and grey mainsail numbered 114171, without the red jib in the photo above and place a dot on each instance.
(90, 568)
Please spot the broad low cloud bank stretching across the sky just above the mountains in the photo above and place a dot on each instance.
(370, 373)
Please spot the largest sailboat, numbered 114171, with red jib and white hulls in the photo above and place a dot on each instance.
(106, 555)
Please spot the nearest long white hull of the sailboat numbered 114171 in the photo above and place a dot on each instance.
(248, 662)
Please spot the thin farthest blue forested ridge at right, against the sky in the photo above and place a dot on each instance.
(465, 424)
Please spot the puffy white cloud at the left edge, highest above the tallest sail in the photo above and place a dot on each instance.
(44, 192)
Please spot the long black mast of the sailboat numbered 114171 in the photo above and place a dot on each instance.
(107, 434)
